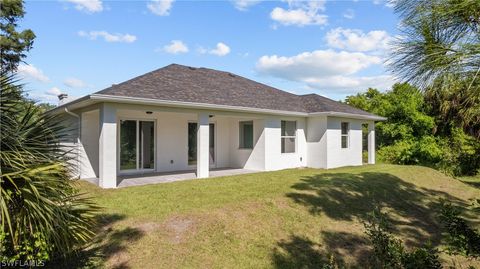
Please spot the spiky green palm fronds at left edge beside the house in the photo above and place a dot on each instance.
(41, 211)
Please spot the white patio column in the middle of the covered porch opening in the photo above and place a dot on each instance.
(203, 147)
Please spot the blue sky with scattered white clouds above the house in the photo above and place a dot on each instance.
(333, 48)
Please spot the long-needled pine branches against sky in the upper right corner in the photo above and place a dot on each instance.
(440, 37)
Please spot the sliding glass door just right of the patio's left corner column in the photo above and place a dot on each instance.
(137, 145)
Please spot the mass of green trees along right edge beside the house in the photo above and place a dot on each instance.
(433, 118)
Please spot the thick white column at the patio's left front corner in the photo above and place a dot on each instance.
(108, 146)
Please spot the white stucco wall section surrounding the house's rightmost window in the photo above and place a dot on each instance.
(338, 156)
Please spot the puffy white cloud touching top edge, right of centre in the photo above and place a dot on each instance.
(301, 13)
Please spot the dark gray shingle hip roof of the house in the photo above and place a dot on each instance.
(202, 85)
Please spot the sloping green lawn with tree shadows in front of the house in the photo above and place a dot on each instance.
(286, 219)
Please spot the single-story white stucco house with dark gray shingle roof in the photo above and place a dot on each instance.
(180, 118)
